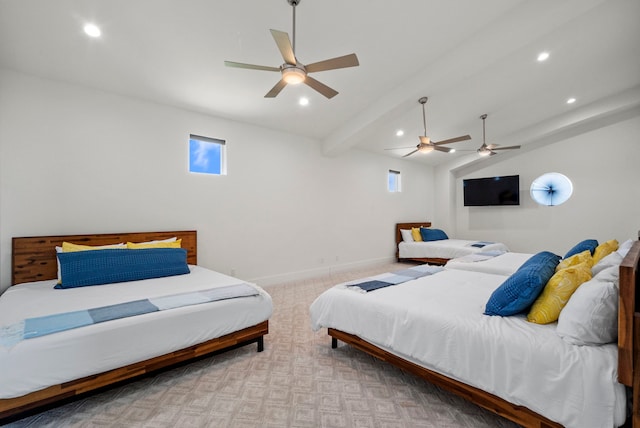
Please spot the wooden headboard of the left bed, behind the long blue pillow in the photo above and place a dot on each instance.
(34, 258)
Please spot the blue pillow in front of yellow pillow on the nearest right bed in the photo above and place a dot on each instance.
(520, 290)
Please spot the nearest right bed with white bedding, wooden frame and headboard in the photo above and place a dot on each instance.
(433, 327)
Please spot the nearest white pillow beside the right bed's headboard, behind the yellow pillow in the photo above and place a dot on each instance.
(591, 315)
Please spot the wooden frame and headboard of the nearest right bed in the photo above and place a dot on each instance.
(628, 356)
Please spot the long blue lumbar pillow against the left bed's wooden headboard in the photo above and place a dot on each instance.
(97, 267)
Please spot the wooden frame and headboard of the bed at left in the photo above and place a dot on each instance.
(34, 259)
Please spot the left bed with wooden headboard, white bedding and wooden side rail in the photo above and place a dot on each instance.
(43, 370)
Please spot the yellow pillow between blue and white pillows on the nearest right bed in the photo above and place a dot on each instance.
(546, 309)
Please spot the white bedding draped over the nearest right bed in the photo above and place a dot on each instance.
(438, 323)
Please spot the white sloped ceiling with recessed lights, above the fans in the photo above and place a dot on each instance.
(469, 57)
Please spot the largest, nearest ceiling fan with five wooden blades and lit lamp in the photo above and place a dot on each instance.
(293, 71)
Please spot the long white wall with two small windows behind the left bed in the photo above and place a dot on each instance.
(76, 160)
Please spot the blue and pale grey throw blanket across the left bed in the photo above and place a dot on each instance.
(49, 324)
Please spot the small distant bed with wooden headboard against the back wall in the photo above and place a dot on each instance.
(440, 251)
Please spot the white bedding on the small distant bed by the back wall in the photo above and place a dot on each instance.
(444, 249)
